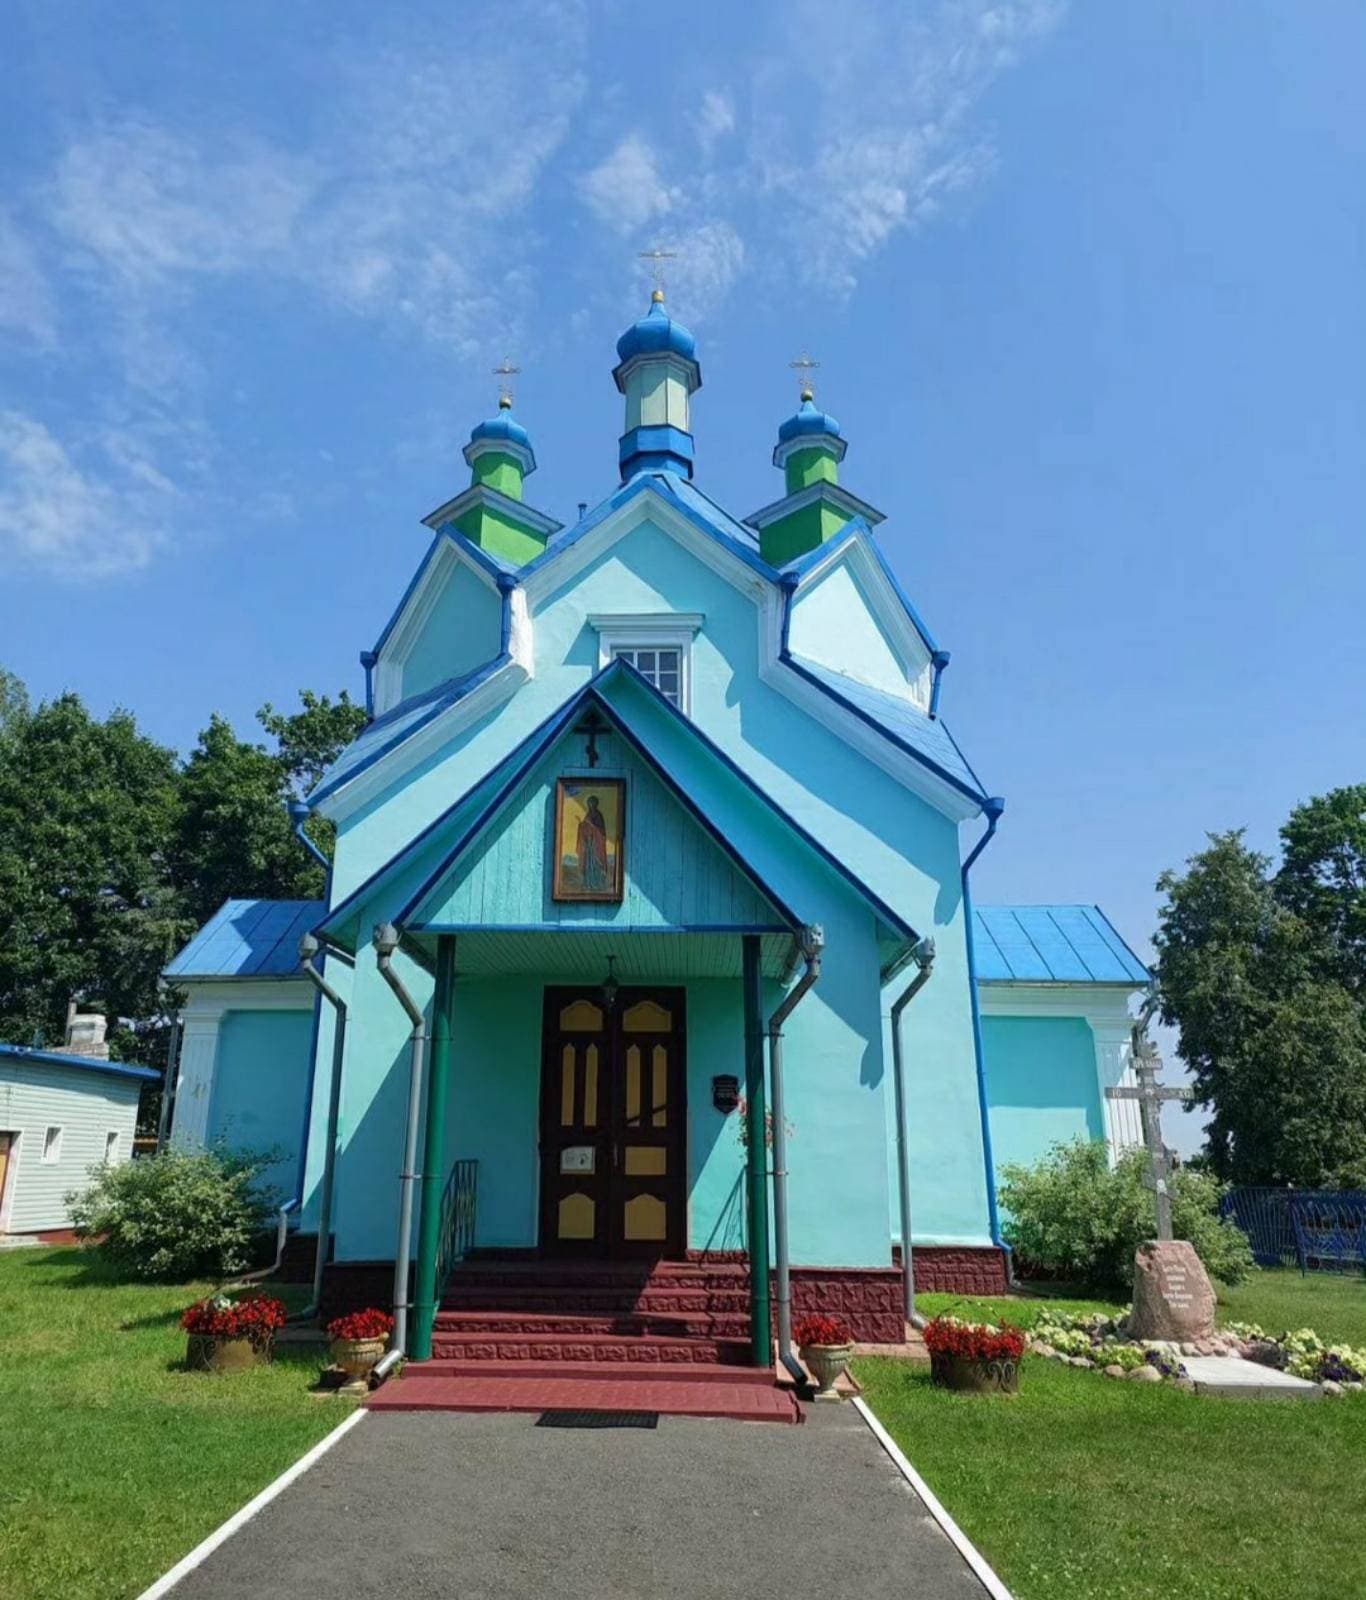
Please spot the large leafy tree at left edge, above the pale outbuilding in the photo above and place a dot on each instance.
(87, 910)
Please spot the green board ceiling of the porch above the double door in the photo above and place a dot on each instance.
(641, 954)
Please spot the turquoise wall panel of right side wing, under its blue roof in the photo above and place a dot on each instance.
(1044, 1087)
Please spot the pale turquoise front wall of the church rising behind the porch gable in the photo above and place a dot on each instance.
(839, 1089)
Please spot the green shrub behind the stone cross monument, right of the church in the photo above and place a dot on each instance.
(1076, 1217)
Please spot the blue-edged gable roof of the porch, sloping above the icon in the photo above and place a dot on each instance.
(468, 820)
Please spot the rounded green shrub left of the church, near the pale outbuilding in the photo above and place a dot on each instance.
(177, 1215)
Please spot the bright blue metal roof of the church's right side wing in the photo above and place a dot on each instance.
(1052, 945)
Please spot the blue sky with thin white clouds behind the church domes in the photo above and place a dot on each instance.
(1085, 284)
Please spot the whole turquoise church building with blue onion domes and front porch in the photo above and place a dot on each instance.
(649, 1007)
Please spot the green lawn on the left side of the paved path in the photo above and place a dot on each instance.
(114, 1462)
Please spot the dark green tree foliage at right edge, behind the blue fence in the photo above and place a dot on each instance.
(1264, 975)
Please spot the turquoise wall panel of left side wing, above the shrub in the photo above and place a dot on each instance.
(260, 1086)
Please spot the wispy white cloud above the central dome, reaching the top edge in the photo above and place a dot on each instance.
(818, 166)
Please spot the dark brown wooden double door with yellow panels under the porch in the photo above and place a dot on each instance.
(613, 1124)
